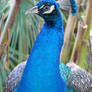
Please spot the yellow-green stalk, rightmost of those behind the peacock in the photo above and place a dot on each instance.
(88, 21)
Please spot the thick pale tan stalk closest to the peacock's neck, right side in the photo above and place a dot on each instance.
(71, 24)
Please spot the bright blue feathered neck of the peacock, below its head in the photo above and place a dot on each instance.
(42, 70)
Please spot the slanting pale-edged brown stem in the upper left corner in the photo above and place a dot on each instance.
(9, 23)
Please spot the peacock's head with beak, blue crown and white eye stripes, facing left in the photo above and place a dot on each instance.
(47, 9)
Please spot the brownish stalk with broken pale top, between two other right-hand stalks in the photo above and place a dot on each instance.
(78, 42)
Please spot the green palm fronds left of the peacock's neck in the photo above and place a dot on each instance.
(21, 37)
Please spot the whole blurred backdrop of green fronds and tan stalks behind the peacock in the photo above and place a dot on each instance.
(18, 33)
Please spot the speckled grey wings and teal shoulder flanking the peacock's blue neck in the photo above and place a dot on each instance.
(76, 78)
